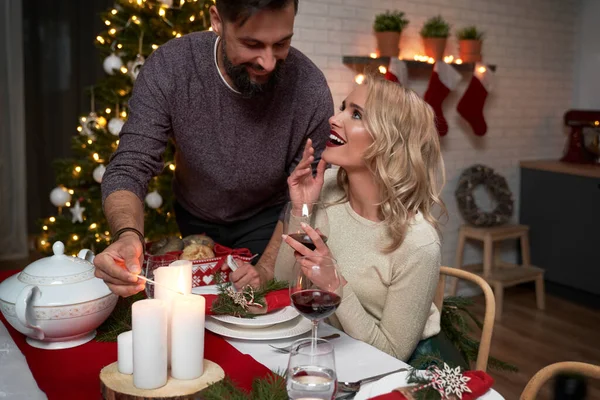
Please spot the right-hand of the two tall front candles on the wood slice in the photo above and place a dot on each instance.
(187, 337)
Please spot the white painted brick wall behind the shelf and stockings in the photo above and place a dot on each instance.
(532, 42)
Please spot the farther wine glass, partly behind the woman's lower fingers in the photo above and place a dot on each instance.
(312, 214)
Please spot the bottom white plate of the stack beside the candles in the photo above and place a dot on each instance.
(294, 327)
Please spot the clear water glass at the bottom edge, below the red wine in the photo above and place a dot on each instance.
(311, 370)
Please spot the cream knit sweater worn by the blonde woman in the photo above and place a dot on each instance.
(388, 300)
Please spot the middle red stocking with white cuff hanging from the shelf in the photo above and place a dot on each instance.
(444, 79)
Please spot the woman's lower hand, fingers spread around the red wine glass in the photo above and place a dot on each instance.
(327, 278)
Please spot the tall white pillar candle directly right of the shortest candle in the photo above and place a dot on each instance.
(149, 325)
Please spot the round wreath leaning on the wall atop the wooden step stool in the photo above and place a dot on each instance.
(497, 187)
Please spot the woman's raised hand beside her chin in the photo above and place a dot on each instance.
(304, 188)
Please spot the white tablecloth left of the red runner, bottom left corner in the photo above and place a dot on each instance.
(16, 381)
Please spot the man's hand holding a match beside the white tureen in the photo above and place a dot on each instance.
(120, 264)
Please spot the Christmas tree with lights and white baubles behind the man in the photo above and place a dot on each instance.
(134, 29)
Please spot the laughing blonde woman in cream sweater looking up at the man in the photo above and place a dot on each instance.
(380, 205)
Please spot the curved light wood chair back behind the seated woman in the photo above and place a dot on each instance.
(490, 309)
